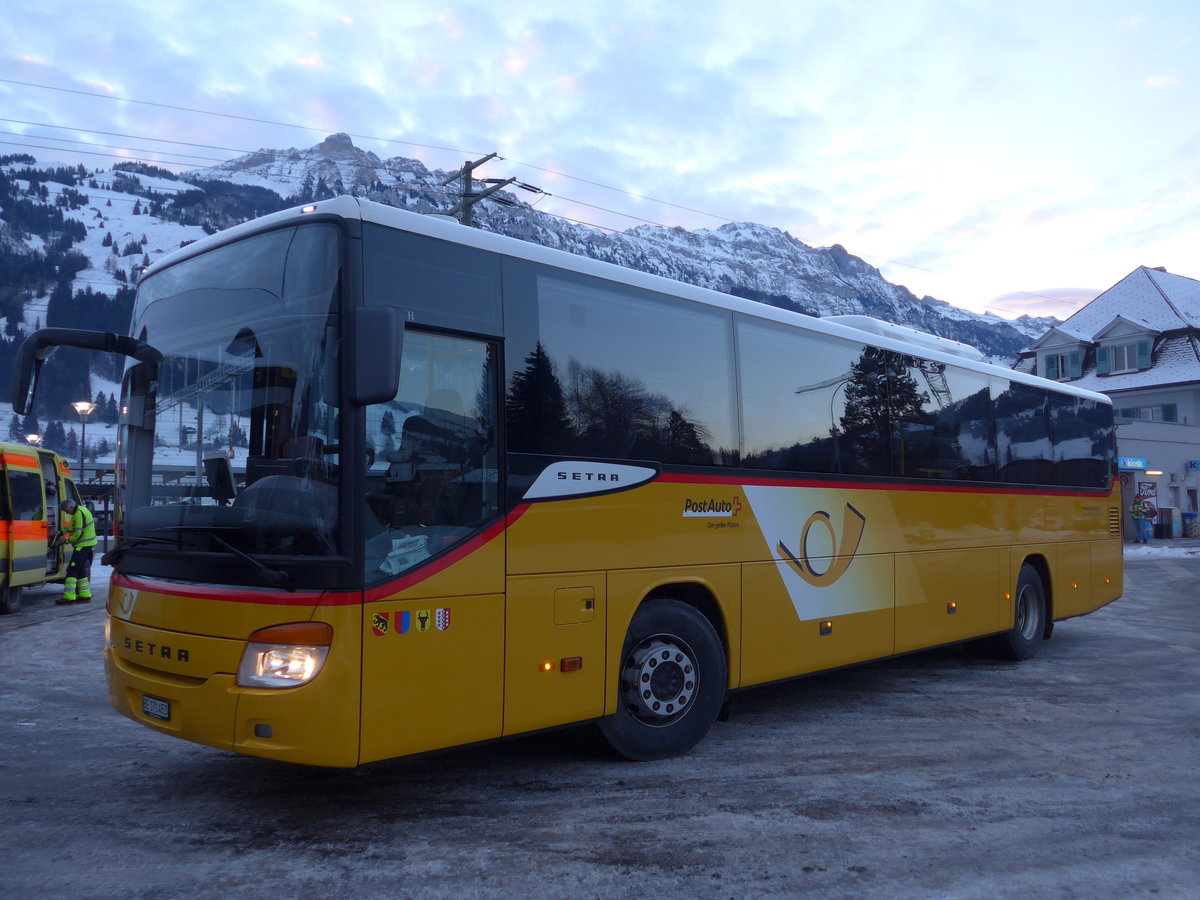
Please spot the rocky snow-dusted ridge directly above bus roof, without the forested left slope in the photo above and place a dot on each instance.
(747, 260)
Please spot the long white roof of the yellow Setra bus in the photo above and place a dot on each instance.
(857, 328)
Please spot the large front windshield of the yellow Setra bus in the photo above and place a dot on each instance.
(230, 446)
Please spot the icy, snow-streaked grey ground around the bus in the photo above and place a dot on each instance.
(937, 776)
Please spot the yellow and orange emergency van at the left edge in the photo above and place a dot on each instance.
(35, 483)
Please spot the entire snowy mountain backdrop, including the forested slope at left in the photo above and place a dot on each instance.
(73, 242)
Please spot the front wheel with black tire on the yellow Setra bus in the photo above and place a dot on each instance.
(673, 683)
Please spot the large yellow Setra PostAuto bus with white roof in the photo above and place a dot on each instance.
(389, 485)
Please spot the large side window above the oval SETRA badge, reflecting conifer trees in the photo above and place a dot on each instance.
(625, 374)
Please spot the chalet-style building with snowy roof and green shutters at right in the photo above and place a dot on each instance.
(1139, 343)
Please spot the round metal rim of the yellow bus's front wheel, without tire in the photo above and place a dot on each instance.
(659, 680)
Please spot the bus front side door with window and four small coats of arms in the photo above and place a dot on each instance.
(434, 547)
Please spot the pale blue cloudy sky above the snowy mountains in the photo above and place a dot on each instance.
(1015, 157)
